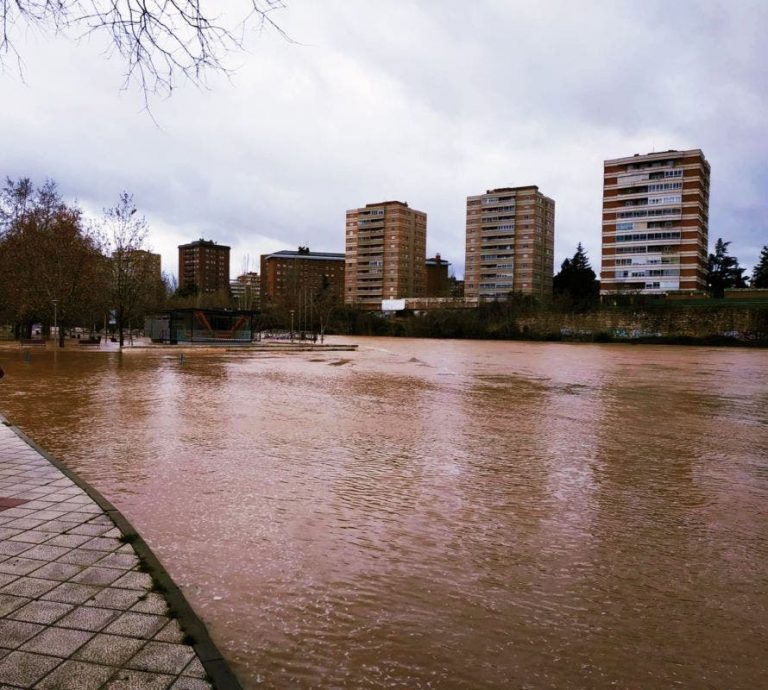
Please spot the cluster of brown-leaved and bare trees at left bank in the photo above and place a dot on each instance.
(59, 269)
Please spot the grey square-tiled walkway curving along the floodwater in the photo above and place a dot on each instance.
(78, 609)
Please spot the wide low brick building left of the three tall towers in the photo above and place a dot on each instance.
(291, 276)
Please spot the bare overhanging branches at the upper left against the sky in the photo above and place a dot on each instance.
(160, 40)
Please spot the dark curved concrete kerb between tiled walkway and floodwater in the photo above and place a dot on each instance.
(217, 668)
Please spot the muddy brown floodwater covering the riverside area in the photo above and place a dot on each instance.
(438, 514)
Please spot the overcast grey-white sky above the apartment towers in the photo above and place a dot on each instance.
(423, 101)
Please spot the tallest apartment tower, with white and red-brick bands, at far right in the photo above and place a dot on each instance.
(655, 223)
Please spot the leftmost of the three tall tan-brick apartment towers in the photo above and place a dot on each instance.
(386, 252)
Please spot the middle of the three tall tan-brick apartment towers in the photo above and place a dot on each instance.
(510, 244)
